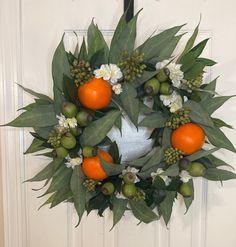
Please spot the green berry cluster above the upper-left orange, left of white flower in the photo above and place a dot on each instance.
(81, 71)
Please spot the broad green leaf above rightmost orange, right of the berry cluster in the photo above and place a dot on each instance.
(198, 114)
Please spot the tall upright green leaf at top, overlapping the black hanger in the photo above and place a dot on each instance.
(123, 38)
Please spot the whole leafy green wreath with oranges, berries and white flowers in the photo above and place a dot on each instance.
(94, 88)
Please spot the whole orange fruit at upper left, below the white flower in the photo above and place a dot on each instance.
(95, 94)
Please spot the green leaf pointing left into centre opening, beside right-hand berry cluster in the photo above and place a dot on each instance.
(154, 120)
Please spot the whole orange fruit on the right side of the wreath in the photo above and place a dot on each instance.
(189, 138)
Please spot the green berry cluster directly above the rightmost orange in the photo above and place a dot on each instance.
(178, 118)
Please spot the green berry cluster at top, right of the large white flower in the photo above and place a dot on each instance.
(132, 65)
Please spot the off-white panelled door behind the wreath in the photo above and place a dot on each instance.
(29, 33)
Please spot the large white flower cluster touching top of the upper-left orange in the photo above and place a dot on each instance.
(109, 72)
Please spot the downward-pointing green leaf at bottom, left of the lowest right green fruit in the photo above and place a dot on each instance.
(166, 205)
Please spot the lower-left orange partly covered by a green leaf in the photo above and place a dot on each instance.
(92, 167)
